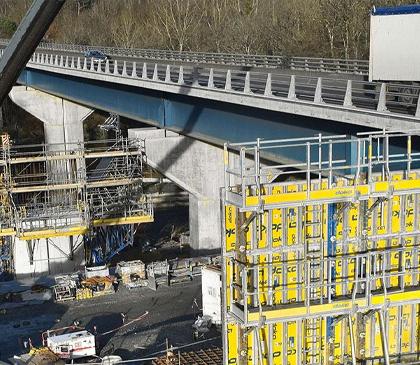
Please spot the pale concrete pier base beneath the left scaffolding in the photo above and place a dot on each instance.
(52, 256)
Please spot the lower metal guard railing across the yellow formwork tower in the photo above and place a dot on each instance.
(378, 279)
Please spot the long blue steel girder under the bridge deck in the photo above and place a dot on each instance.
(208, 120)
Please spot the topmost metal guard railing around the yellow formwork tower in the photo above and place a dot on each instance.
(317, 158)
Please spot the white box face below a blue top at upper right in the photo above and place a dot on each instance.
(394, 46)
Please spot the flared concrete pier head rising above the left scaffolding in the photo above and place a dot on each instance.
(63, 119)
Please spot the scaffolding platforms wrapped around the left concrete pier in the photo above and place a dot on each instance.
(54, 190)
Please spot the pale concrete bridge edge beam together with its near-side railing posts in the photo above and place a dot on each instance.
(376, 105)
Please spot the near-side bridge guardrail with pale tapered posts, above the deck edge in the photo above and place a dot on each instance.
(356, 95)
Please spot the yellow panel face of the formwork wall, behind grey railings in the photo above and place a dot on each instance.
(289, 339)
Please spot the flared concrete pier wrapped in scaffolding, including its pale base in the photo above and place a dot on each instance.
(63, 123)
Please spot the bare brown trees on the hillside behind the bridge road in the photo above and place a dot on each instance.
(321, 28)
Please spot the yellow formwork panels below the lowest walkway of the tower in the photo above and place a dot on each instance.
(289, 345)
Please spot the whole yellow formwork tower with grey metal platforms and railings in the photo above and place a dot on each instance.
(321, 255)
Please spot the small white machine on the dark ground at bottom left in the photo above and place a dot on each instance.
(73, 345)
